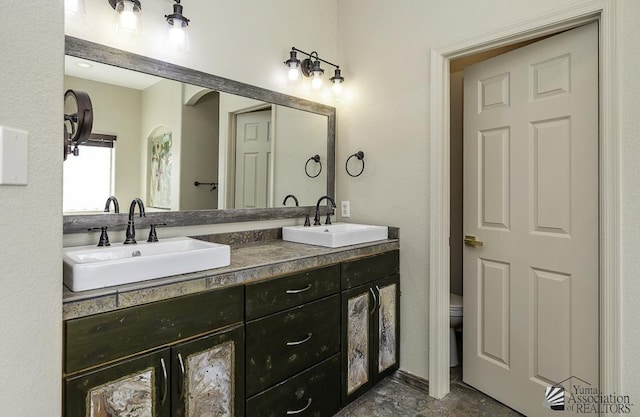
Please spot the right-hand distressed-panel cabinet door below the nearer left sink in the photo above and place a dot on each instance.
(208, 375)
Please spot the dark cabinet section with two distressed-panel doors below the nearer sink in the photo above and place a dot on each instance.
(188, 376)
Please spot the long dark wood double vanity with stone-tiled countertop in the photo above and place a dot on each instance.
(285, 328)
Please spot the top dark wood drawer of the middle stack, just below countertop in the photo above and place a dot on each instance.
(278, 294)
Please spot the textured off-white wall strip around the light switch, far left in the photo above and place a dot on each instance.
(31, 43)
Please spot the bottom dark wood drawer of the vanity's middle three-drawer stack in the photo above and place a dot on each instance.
(314, 392)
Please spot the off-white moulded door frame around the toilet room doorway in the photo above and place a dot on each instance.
(605, 12)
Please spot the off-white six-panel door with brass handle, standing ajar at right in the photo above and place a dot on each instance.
(531, 198)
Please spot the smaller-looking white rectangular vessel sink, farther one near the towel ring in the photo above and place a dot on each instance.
(335, 235)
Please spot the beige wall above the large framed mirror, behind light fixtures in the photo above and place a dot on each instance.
(244, 40)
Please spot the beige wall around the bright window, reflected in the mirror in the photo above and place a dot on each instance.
(116, 111)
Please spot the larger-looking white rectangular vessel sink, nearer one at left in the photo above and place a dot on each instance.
(90, 267)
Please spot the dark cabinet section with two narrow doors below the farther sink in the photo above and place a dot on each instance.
(370, 323)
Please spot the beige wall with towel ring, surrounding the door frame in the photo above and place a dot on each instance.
(386, 51)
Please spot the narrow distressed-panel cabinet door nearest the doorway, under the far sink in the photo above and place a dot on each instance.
(386, 335)
